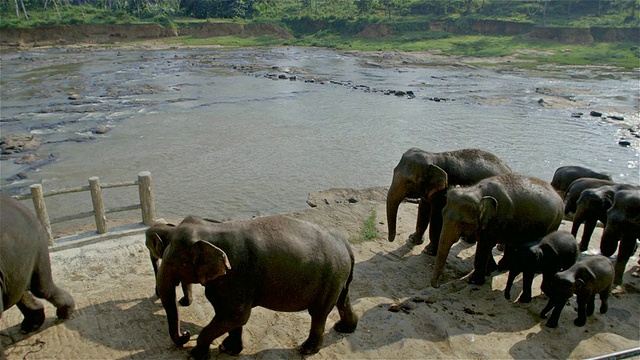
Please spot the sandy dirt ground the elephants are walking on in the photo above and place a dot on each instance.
(119, 317)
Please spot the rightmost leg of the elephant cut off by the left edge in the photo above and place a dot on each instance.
(42, 286)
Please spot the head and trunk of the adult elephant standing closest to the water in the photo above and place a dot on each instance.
(414, 177)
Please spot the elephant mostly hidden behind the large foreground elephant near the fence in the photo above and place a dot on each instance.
(157, 238)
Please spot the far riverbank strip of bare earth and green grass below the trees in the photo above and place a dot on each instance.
(521, 50)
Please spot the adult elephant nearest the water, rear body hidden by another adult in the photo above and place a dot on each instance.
(416, 176)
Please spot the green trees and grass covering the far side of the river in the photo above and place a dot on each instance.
(409, 24)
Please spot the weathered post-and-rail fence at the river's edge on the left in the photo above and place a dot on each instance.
(147, 204)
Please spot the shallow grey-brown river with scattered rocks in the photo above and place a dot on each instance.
(223, 140)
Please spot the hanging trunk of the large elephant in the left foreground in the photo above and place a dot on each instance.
(166, 285)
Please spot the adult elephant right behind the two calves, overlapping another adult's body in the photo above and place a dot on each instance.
(511, 209)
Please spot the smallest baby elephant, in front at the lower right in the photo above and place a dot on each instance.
(586, 278)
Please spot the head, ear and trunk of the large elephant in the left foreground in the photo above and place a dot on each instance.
(189, 260)
